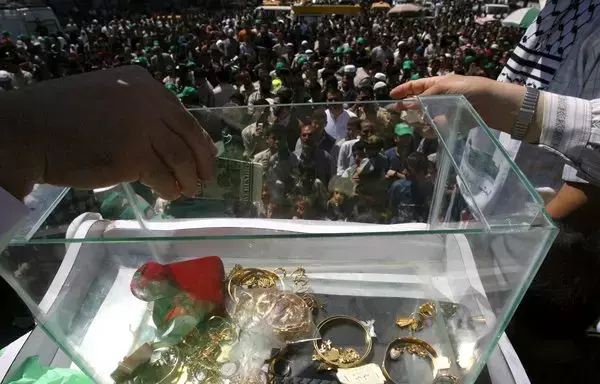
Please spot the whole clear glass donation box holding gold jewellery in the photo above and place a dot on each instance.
(376, 242)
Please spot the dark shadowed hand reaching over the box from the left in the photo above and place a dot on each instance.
(99, 129)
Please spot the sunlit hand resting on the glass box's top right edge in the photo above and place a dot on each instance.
(497, 103)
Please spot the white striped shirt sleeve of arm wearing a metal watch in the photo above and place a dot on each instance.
(572, 127)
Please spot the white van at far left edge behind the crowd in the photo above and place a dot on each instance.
(28, 21)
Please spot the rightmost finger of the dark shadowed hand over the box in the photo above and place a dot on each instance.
(184, 125)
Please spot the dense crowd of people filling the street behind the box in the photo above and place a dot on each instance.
(312, 95)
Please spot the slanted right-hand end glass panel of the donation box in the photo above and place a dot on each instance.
(488, 182)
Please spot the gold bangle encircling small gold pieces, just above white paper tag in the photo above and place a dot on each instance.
(332, 357)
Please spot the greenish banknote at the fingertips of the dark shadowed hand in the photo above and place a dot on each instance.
(233, 180)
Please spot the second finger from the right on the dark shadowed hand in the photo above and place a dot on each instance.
(178, 158)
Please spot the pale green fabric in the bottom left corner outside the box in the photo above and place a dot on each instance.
(32, 372)
